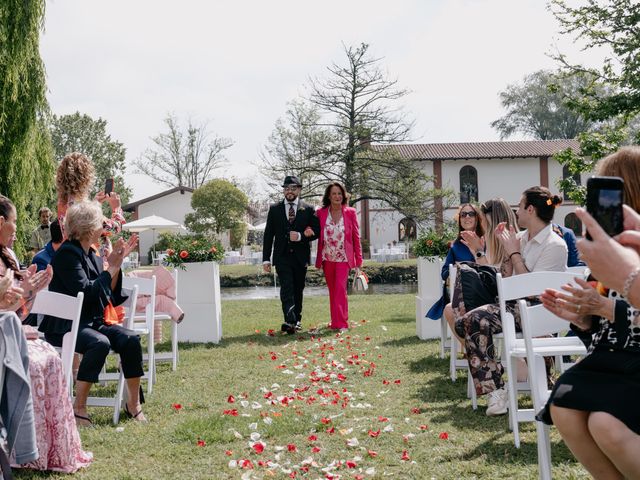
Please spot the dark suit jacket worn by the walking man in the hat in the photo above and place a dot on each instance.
(276, 233)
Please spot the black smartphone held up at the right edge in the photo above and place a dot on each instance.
(605, 196)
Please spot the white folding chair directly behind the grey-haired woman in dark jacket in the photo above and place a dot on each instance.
(68, 308)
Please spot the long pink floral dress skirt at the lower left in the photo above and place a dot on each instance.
(58, 440)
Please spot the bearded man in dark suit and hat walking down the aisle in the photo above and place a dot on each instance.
(291, 227)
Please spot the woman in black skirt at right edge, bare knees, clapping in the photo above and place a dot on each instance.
(594, 404)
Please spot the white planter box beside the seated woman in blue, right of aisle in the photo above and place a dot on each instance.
(429, 290)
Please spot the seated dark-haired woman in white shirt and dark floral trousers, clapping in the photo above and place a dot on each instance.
(536, 248)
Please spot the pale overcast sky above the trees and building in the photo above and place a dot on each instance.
(237, 63)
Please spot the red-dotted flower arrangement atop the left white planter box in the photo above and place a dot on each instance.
(183, 249)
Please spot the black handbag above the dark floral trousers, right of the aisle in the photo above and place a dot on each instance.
(477, 284)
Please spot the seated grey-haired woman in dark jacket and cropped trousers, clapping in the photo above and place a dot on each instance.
(77, 268)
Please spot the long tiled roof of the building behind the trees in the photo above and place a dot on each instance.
(478, 150)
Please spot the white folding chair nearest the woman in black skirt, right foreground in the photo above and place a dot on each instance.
(537, 321)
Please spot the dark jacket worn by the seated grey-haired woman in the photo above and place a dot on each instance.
(75, 271)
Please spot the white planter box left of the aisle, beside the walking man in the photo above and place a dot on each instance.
(199, 297)
